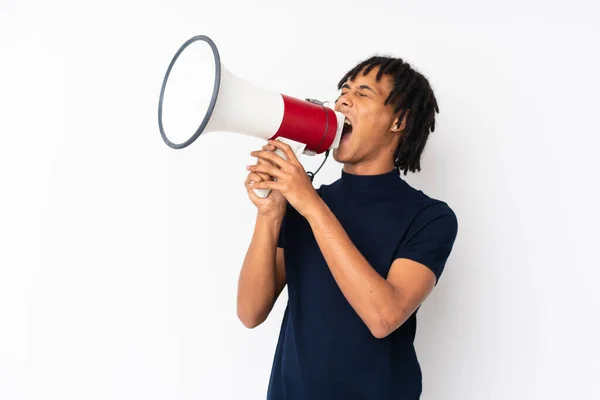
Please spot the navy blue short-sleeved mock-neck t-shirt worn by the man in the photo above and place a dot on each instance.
(325, 351)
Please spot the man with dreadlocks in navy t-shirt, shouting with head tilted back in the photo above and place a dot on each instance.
(361, 254)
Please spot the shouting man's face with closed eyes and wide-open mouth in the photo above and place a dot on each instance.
(372, 137)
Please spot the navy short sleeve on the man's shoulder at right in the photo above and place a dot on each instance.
(430, 238)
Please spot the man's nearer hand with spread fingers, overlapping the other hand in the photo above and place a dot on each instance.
(292, 181)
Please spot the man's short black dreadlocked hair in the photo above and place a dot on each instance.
(412, 96)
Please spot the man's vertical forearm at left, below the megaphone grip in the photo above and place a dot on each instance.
(257, 285)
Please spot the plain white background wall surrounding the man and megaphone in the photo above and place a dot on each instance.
(120, 256)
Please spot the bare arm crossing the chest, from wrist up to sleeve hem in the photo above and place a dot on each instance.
(382, 304)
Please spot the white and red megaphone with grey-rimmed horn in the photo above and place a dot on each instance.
(204, 96)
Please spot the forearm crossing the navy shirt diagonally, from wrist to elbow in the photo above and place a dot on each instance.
(371, 296)
